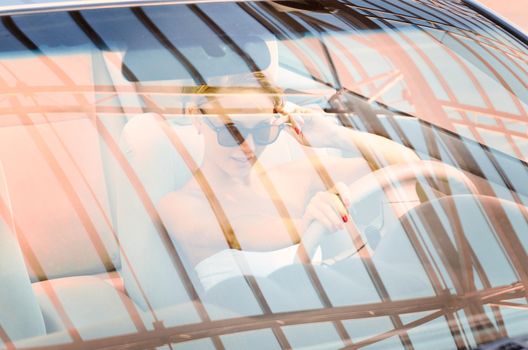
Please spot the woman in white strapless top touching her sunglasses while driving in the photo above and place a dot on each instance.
(248, 206)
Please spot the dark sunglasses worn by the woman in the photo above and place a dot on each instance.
(231, 135)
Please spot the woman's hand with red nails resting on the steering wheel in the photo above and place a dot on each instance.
(329, 208)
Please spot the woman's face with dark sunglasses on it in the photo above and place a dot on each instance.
(233, 142)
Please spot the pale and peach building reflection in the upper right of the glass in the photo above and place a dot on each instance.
(462, 74)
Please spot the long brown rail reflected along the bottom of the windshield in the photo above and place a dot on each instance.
(445, 302)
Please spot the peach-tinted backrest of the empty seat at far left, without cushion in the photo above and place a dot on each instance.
(59, 197)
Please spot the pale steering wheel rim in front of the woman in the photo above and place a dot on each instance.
(382, 179)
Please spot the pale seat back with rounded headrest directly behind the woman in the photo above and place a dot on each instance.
(149, 274)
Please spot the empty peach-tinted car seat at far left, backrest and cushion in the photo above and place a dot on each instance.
(59, 207)
